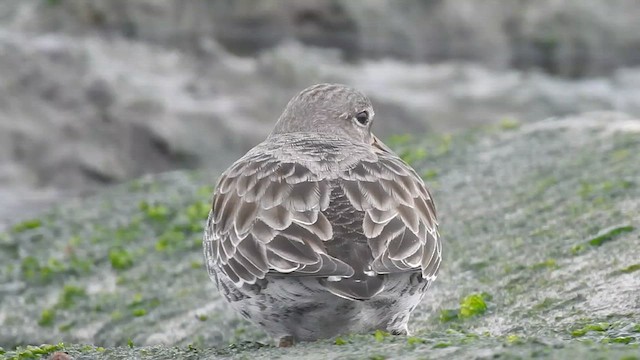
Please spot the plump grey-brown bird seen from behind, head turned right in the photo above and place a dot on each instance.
(321, 229)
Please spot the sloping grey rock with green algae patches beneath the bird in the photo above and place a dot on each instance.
(540, 223)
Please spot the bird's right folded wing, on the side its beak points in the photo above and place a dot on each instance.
(400, 217)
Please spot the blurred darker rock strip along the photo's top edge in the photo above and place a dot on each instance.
(568, 38)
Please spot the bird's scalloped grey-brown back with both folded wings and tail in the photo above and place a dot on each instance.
(298, 205)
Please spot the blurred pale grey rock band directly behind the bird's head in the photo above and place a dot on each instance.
(79, 113)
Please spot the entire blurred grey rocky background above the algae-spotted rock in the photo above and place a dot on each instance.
(94, 93)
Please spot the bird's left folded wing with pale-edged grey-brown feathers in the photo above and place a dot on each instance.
(268, 217)
